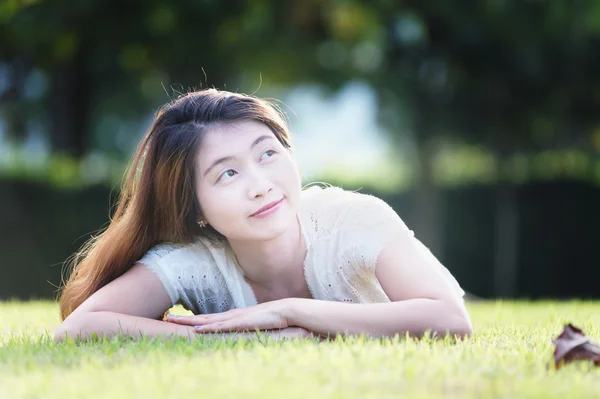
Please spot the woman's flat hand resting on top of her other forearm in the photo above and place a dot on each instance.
(265, 316)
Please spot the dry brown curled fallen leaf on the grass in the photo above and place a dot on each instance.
(572, 344)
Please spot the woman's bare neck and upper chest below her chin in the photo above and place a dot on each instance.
(273, 263)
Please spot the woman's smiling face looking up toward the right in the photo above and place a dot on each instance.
(241, 168)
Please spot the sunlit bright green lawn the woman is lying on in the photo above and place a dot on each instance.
(508, 357)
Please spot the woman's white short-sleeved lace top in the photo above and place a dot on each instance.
(344, 232)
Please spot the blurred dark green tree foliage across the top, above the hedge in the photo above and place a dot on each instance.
(512, 76)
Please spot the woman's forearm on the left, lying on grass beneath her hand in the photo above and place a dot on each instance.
(109, 324)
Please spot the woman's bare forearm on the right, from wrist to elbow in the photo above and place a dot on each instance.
(414, 316)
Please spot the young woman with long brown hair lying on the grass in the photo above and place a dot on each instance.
(212, 216)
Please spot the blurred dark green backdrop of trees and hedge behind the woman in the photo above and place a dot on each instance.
(476, 120)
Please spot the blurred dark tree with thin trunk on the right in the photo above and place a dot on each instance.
(513, 76)
